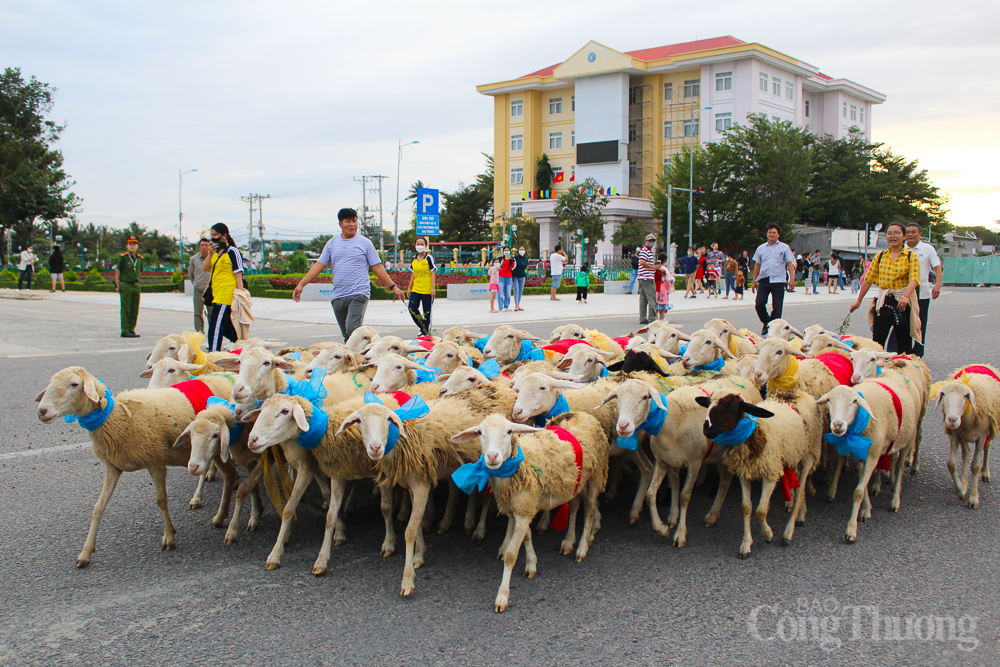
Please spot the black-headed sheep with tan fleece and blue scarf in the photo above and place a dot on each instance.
(784, 442)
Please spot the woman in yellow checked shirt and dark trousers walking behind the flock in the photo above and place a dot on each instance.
(896, 272)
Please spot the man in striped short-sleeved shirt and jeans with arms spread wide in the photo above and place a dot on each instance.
(349, 257)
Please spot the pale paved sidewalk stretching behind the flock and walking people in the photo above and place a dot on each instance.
(459, 313)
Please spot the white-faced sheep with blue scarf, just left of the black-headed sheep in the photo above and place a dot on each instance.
(679, 443)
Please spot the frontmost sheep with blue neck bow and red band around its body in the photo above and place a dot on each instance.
(553, 472)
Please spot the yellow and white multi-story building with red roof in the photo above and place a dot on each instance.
(618, 117)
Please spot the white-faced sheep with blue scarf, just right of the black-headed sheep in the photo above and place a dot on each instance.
(889, 431)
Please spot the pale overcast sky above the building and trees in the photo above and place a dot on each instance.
(273, 97)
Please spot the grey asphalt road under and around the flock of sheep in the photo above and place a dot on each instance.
(635, 600)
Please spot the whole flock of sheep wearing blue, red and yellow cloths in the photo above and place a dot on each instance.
(527, 427)
